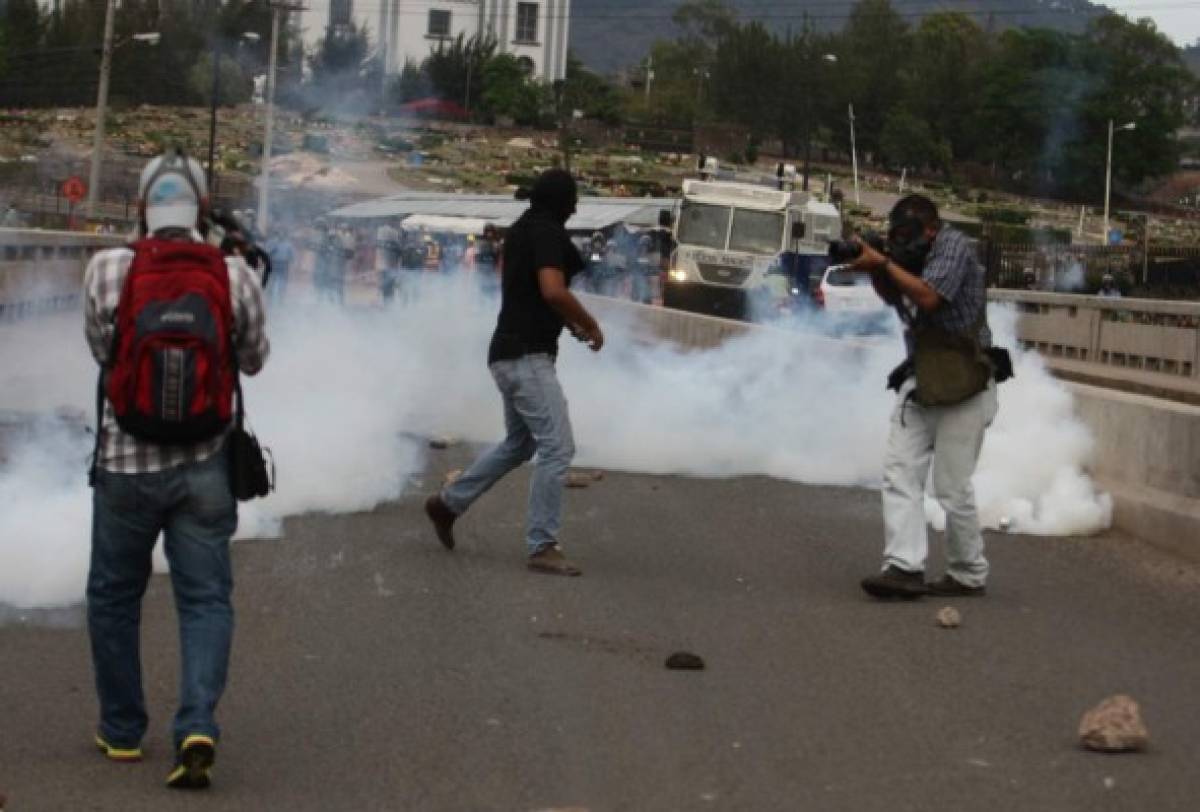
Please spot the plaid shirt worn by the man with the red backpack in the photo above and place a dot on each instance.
(104, 280)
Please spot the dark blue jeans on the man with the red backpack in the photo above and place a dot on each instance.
(195, 510)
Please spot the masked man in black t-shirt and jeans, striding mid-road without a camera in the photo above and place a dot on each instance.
(536, 305)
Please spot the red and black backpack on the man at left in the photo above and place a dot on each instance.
(172, 377)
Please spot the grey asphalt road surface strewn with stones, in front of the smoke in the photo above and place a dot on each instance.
(375, 671)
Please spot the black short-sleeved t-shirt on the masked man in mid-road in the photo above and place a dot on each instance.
(527, 324)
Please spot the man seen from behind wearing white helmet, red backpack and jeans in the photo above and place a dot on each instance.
(171, 323)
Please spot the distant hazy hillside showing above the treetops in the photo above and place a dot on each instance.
(610, 35)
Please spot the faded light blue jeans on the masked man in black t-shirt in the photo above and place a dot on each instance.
(537, 422)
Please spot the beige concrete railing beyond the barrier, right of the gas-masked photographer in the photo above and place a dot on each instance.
(1136, 334)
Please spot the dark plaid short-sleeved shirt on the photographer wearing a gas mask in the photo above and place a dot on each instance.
(958, 276)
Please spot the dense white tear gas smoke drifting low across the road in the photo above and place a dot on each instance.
(347, 393)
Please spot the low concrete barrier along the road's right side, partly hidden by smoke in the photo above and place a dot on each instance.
(1147, 455)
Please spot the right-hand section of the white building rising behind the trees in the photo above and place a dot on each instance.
(535, 31)
